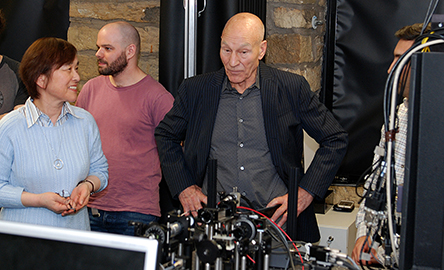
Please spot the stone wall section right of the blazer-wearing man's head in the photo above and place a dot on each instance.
(293, 44)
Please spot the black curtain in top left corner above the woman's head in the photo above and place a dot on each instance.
(28, 20)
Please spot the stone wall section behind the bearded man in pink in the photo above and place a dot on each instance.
(88, 16)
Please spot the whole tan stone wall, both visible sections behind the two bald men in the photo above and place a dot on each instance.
(293, 44)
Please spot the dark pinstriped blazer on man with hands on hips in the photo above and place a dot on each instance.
(289, 106)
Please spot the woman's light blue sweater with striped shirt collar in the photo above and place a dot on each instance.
(30, 144)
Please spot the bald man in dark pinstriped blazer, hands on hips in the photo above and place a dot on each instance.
(249, 117)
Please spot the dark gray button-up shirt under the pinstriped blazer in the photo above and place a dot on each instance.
(240, 147)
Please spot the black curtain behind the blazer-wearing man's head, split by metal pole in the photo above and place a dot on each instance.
(209, 29)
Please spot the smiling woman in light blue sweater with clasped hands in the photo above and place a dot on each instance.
(51, 157)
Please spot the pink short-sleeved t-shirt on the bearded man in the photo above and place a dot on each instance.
(127, 117)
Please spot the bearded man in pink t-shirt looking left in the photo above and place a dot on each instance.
(127, 105)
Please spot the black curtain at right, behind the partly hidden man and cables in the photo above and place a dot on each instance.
(359, 49)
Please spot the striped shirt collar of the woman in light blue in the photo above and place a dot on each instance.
(34, 115)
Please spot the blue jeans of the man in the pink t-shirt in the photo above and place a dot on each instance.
(117, 222)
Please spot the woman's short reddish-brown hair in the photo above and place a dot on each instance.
(41, 58)
